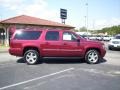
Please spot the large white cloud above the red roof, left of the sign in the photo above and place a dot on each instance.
(37, 8)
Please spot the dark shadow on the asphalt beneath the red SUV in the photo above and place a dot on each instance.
(61, 61)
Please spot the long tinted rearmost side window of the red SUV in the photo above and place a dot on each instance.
(27, 35)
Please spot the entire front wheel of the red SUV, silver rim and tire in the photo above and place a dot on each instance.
(92, 56)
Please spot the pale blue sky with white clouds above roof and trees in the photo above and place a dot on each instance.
(97, 15)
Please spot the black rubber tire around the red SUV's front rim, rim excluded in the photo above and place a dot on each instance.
(86, 56)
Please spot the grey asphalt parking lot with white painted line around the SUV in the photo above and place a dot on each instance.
(59, 74)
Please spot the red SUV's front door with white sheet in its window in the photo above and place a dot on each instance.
(71, 46)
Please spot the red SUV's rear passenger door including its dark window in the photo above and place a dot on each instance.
(51, 44)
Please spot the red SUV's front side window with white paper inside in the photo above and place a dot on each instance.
(69, 36)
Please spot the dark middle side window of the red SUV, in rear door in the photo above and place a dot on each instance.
(52, 35)
